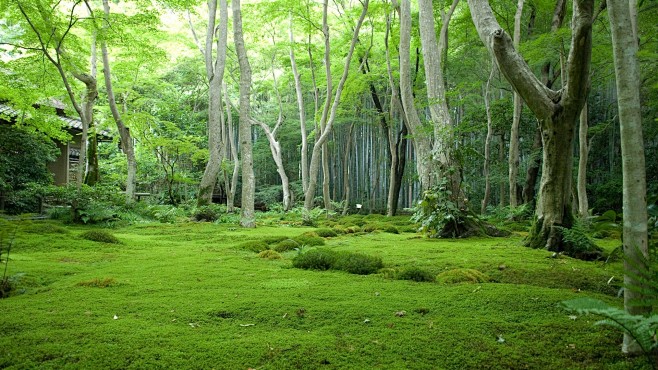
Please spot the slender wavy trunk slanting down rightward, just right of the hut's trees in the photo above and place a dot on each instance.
(127, 144)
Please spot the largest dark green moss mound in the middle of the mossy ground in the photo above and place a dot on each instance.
(325, 259)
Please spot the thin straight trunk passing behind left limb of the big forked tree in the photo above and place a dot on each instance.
(513, 162)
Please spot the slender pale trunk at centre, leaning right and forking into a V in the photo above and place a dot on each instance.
(327, 122)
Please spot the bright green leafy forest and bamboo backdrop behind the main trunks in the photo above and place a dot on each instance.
(164, 65)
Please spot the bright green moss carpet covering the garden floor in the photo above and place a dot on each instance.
(187, 295)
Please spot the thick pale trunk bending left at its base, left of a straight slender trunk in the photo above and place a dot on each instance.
(215, 75)
